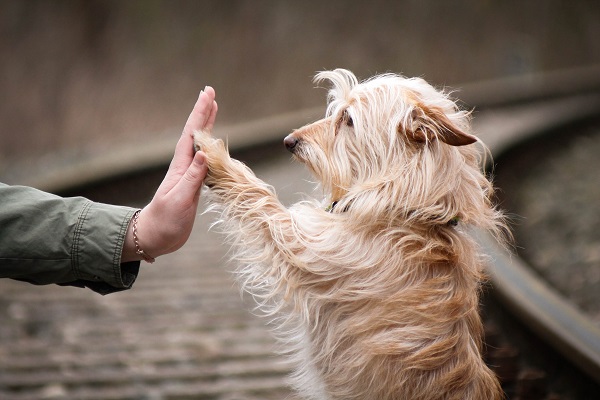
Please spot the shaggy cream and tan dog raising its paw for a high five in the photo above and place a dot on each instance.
(374, 290)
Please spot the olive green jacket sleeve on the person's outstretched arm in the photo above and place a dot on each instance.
(68, 241)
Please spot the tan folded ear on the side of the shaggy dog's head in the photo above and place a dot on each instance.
(429, 124)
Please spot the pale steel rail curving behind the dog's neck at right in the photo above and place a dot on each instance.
(540, 307)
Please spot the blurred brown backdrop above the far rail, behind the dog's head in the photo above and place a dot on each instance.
(81, 77)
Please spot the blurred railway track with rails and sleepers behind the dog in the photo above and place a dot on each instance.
(190, 334)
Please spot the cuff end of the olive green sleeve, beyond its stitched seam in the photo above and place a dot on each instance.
(97, 246)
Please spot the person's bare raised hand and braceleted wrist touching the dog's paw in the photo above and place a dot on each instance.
(165, 224)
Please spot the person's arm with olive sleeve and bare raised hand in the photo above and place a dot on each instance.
(73, 241)
